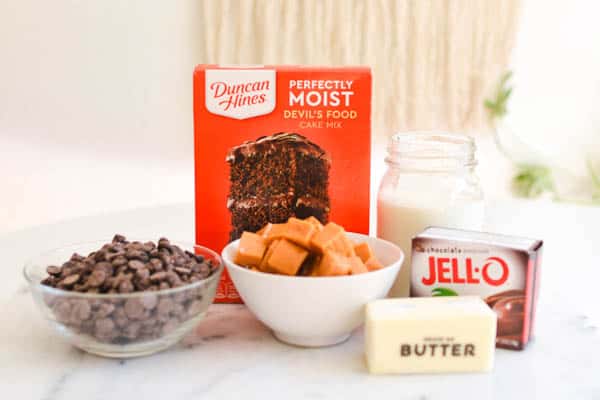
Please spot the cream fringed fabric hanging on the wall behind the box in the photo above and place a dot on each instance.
(434, 61)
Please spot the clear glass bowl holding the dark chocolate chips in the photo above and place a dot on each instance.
(121, 325)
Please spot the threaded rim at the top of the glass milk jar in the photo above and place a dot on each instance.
(432, 145)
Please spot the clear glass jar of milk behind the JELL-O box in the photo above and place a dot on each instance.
(430, 181)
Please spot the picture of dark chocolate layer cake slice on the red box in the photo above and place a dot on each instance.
(274, 178)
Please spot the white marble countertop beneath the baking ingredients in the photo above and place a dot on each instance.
(232, 355)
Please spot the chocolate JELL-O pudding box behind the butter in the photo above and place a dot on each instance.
(503, 270)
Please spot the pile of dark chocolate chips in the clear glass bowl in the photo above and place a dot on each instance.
(122, 267)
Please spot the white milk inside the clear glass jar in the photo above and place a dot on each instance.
(399, 221)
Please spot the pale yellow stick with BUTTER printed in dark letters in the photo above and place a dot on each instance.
(430, 335)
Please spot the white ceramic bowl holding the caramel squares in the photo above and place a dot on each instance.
(314, 311)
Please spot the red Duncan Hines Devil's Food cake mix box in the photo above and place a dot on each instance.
(273, 142)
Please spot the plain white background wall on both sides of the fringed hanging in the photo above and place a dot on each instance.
(96, 104)
